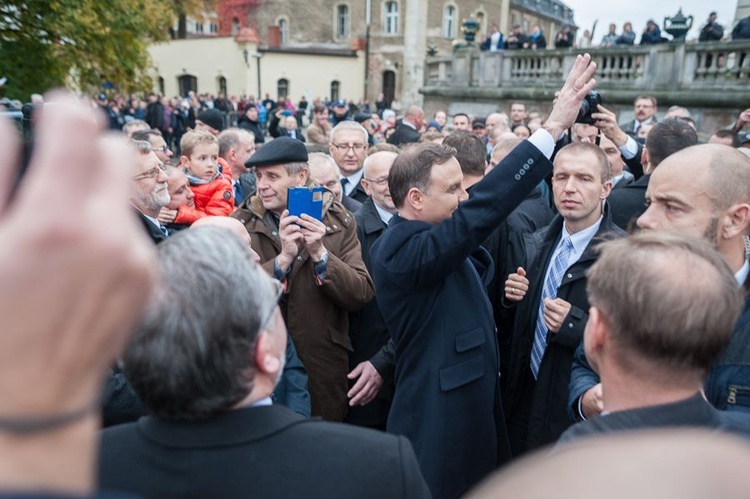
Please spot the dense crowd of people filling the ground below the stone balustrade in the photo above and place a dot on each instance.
(455, 294)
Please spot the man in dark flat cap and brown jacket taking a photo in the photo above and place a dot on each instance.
(319, 263)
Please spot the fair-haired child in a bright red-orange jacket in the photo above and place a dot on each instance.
(212, 188)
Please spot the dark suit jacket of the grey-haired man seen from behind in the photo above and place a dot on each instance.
(264, 451)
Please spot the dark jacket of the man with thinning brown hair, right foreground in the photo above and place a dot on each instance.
(692, 412)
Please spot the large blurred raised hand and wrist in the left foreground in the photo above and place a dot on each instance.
(62, 331)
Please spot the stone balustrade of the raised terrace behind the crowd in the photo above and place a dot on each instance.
(707, 74)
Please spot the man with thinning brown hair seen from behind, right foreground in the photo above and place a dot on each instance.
(651, 356)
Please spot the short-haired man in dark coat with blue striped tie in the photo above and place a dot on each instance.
(548, 287)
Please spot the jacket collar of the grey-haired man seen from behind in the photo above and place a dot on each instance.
(231, 428)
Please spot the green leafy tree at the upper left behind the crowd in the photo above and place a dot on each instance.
(48, 43)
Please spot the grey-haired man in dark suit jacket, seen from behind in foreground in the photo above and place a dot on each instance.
(199, 436)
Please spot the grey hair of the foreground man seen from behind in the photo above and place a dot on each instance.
(191, 356)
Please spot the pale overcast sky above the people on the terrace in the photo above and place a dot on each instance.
(639, 11)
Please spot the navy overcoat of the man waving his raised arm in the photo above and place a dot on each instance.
(430, 283)
